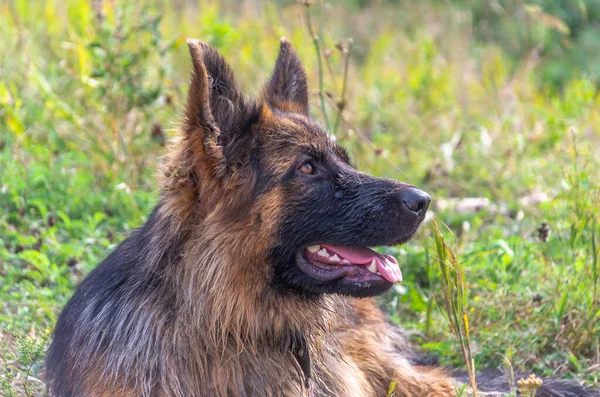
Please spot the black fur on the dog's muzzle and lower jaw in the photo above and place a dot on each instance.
(337, 205)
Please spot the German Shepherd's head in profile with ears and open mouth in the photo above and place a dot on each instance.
(280, 191)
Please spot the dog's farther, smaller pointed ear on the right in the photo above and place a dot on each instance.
(288, 90)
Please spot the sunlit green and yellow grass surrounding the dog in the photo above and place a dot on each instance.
(89, 95)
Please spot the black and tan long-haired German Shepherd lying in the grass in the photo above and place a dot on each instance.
(245, 278)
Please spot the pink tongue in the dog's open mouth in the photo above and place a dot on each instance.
(387, 265)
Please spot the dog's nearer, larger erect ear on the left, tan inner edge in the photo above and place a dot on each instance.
(215, 109)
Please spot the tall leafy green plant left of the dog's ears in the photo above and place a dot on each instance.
(114, 72)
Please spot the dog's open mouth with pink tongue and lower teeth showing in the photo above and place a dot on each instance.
(325, 262)
